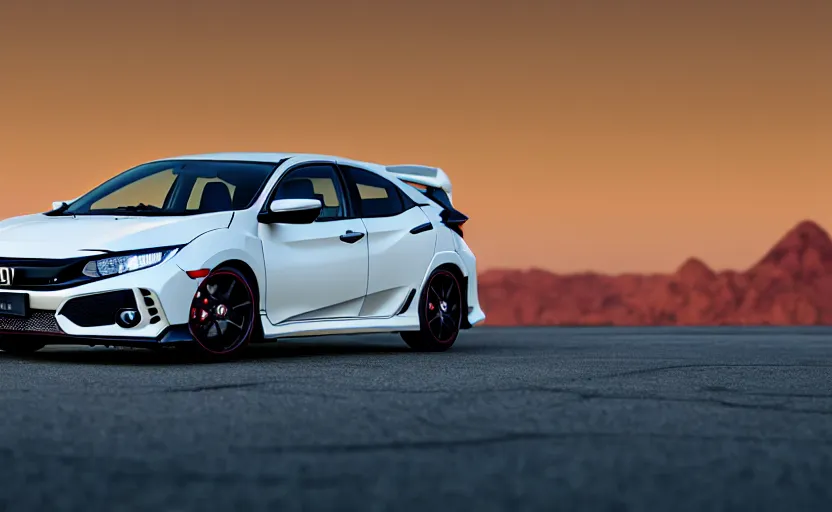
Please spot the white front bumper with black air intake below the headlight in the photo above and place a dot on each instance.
(161, 295)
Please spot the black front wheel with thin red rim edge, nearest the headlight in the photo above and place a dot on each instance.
(224, 315)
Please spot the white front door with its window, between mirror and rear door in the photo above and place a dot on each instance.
(315, 271)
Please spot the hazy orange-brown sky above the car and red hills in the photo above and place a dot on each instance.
(579, 135)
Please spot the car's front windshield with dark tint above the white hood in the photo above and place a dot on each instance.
(176, 187)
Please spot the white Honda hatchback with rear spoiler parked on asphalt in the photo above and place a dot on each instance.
(218, 251)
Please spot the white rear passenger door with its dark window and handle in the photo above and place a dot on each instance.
(401, 240)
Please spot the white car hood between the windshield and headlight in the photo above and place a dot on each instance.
(43, 237)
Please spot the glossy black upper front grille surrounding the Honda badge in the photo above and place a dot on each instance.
(42, 274)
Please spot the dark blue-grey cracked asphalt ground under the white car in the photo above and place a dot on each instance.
(509, 419)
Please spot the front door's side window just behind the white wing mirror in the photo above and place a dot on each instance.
(314, 182)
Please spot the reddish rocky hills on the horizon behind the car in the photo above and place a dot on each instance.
(790, 285)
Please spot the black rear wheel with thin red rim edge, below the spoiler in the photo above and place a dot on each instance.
(440, 314)
